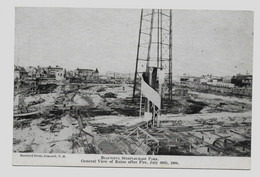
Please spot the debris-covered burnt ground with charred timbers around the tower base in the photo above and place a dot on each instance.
(97, 118)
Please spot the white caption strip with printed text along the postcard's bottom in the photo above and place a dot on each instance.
(102, 160)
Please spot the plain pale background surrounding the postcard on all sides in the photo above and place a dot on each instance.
(7, 54)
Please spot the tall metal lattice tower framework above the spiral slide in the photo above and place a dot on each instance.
(154, 48)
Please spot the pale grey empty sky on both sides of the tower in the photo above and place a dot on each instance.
(204, 42)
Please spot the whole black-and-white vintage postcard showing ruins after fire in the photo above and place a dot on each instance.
(153, 88)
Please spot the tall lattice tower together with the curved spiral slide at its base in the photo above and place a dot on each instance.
(154, 60)
